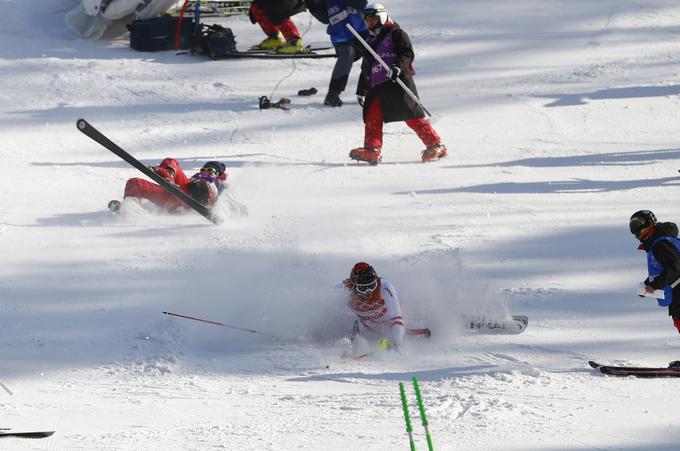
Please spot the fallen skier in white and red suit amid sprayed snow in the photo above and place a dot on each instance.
(376, 304)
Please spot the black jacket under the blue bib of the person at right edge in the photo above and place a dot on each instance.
(666, 254)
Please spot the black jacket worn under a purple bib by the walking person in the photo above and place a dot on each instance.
(396, 104)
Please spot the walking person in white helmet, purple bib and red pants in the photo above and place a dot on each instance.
(383, 100)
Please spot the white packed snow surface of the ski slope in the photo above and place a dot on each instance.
(561, 119)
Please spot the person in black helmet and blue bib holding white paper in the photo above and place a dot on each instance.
(660, 241)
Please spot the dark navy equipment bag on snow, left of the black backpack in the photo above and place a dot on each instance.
(153, 35)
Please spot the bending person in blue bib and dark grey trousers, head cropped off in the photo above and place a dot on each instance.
(337, 14)
